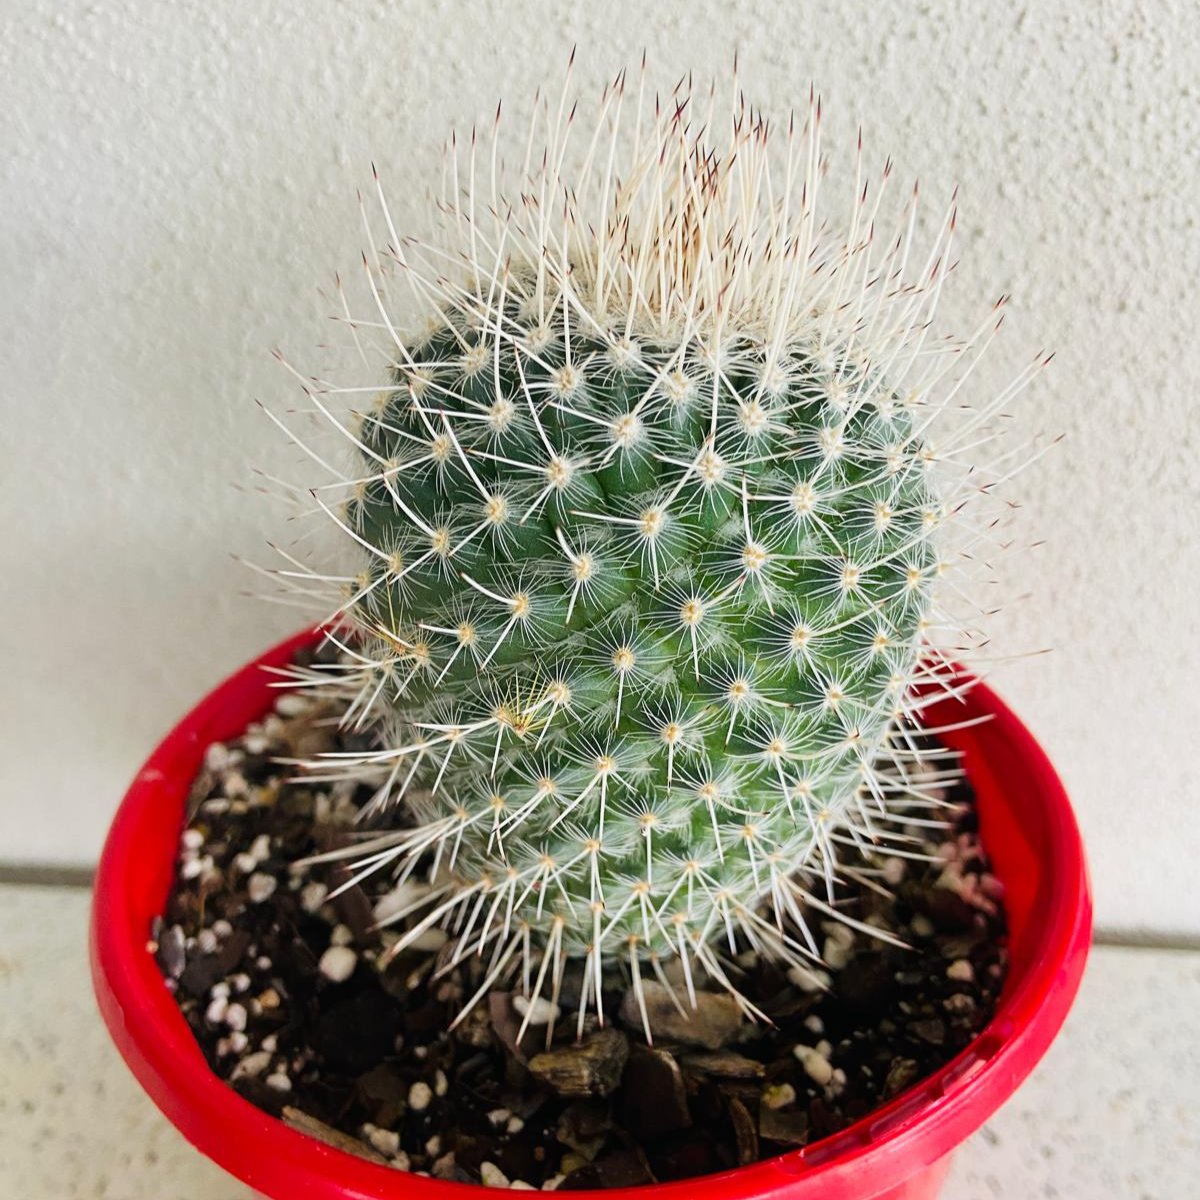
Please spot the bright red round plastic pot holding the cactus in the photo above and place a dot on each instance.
(901, 1153)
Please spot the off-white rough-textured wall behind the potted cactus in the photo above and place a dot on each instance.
(178, 179)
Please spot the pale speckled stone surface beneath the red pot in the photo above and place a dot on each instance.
(1113, 1112)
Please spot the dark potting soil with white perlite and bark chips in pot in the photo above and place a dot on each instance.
(287, 999)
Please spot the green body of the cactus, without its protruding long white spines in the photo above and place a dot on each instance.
(643, 617)
